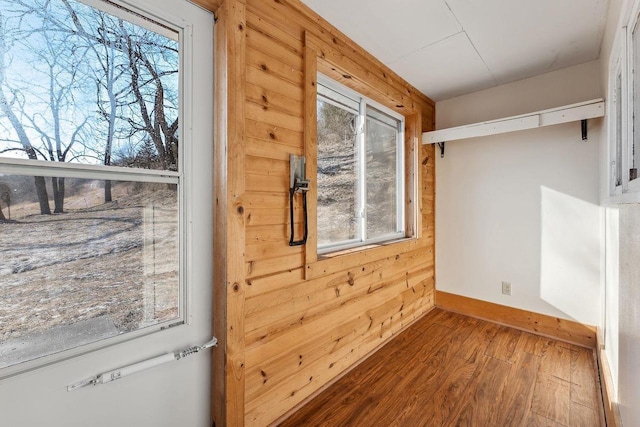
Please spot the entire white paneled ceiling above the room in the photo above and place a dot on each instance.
(447, 48)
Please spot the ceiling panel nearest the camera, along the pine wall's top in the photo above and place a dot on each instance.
(389, 33)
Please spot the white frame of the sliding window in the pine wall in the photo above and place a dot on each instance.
(364, 102)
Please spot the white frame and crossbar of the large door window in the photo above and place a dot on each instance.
(183, 178)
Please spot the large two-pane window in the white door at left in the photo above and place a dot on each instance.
(92, 226)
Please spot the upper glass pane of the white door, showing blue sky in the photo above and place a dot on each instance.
(80, 85)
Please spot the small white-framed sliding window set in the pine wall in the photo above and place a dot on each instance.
(361, 170)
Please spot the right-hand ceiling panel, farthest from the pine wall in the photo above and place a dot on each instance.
(519, 39)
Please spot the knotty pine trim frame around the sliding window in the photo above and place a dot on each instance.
(319, 56)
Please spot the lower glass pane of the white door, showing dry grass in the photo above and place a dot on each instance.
(97, 271)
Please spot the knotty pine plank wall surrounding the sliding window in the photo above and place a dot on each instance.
(302, 325)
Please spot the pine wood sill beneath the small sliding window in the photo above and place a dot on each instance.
(348, 258)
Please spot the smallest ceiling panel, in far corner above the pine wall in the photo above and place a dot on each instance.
(448, 68)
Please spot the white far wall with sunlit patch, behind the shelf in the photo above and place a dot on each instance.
(522, 207)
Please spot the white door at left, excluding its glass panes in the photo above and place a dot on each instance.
(174, 394)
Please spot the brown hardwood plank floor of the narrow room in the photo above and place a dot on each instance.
(453, 370)
